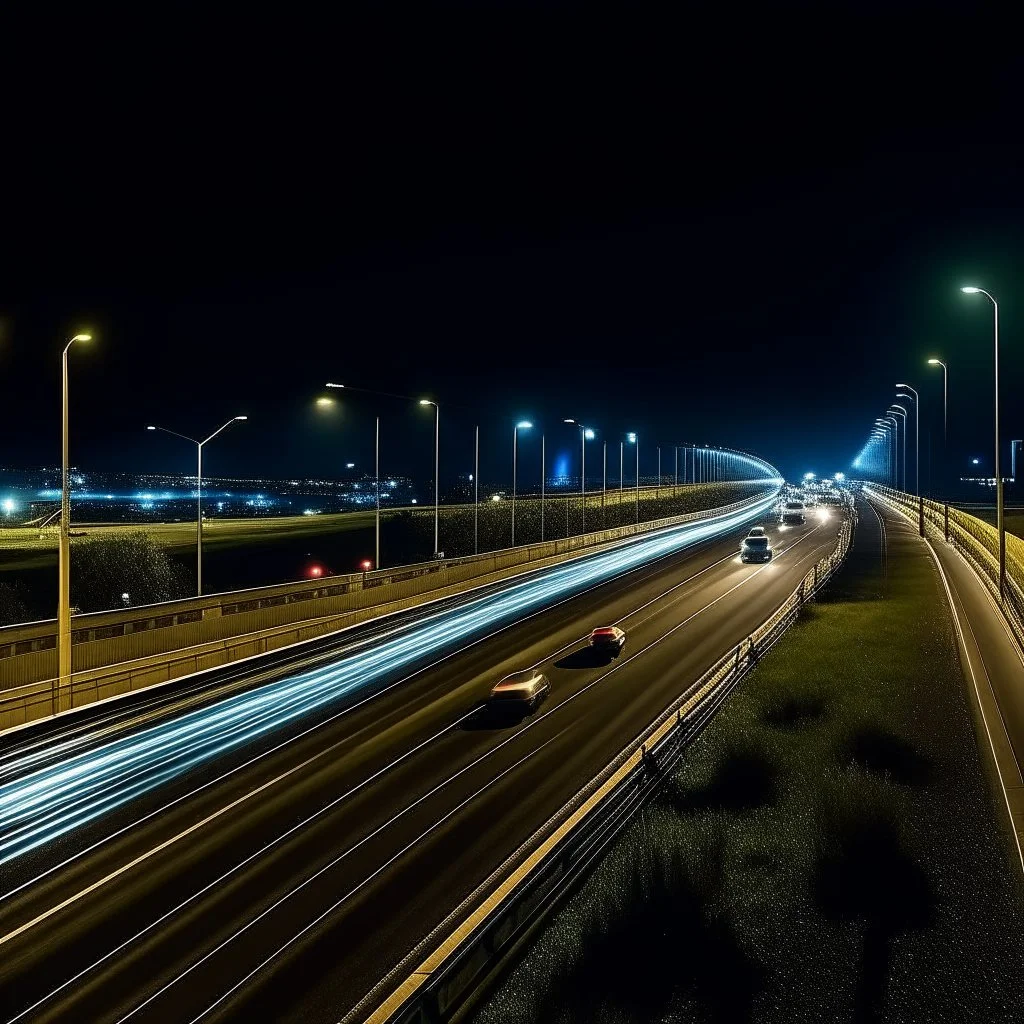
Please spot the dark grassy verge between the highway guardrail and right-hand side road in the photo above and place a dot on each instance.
(829, 850)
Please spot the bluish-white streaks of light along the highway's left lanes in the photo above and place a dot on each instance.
(47, 803)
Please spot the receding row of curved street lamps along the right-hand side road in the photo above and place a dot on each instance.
(880, 435)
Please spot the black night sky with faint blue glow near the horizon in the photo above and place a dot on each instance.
(733, 233)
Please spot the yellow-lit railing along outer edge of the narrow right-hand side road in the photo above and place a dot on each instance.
(976, 540)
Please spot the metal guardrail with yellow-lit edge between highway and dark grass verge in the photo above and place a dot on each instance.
(438, 982)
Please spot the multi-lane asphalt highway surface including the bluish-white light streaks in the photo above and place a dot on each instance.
(276, 855)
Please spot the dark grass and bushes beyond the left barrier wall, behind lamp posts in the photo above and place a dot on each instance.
(241, 553)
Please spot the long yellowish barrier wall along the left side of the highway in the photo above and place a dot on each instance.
(120, 652)
